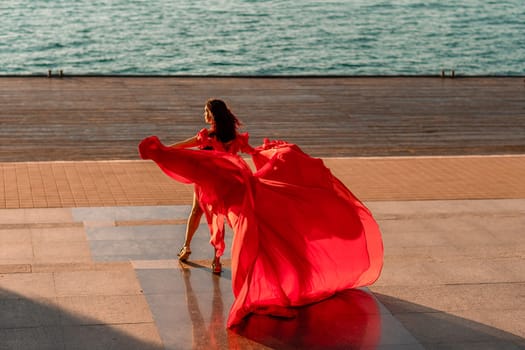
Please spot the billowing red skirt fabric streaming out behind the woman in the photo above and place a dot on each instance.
(299, 234)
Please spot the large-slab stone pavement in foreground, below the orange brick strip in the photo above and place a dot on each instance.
(107, 277)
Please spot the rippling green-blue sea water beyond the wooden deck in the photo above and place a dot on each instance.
(258, 37)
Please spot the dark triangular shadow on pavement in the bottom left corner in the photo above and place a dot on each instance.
(41, 324)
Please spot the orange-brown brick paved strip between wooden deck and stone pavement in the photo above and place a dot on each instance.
(124, 183)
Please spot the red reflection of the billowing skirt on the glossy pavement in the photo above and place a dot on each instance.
(348, 320)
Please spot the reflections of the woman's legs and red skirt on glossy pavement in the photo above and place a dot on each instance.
(348, 320)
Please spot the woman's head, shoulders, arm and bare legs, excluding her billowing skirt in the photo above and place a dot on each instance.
(222, 136)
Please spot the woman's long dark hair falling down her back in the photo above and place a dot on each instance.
(225, 123)
